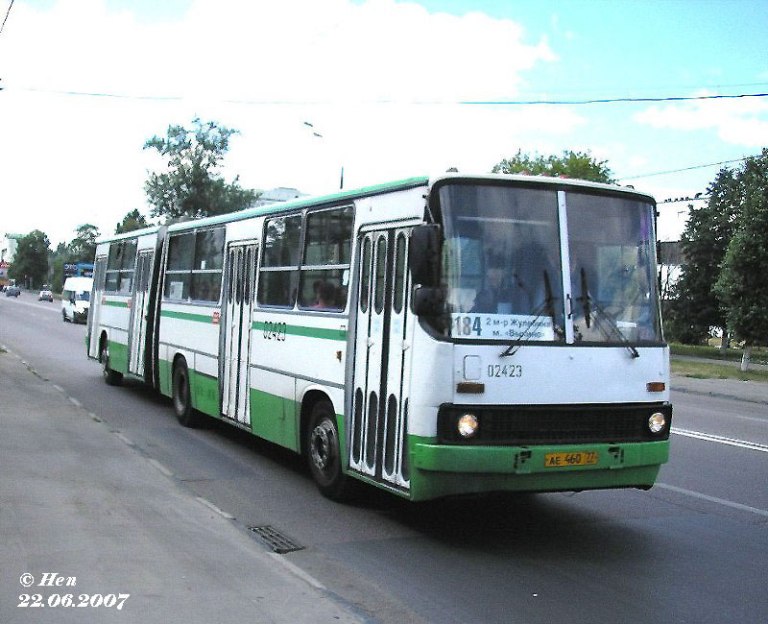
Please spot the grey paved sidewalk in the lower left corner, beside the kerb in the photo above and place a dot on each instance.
(86, 515)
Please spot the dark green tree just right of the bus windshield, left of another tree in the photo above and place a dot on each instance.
(695, 306)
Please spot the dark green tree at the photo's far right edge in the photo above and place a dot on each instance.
(743, 281)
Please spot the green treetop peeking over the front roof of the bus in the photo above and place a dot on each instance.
(580, 165)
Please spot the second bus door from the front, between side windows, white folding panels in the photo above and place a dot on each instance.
(234, 366)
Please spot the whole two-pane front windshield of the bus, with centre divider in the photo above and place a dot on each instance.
(504, 265)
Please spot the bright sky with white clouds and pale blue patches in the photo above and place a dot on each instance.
(394, 88)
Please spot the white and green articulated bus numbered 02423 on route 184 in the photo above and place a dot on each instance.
(431, 337)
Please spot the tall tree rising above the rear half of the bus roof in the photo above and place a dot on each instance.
(192, 187)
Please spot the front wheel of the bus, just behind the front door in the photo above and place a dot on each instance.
(324, 453)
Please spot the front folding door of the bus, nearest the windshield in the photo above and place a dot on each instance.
(382, 359)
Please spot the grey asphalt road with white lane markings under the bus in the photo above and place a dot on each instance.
(693, 549)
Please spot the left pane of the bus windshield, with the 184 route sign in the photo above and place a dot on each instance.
(502, 263)
